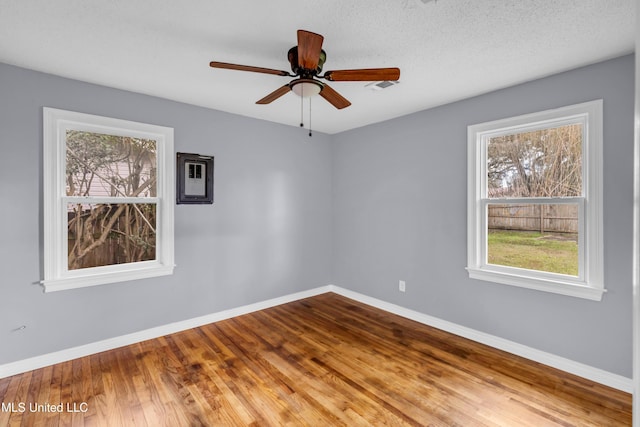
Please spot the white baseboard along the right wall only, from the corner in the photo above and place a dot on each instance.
(594, 374)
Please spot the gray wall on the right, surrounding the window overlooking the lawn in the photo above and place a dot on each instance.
(400, 212)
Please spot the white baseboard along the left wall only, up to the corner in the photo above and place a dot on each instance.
(37, 362)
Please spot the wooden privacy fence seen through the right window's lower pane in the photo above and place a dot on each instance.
(560, 218)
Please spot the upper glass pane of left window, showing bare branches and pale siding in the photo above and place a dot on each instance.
(101, 165)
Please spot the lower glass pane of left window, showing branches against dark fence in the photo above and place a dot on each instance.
(109, 234)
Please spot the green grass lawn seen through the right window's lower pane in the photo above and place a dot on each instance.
(556, 253)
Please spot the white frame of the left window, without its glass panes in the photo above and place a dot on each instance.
(57, 276)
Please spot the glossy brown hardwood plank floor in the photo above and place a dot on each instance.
(320, 361)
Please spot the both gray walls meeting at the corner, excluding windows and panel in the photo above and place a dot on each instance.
(361, 209)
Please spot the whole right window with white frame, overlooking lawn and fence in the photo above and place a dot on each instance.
(535, 201)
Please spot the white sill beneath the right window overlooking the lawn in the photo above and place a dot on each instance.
(557, 286)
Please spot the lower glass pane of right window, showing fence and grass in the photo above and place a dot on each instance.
(542, 237)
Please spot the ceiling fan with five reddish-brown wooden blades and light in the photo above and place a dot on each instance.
(307, 59)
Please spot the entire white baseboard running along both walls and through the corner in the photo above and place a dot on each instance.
(585, 371)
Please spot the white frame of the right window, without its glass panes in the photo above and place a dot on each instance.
(589, 283)
